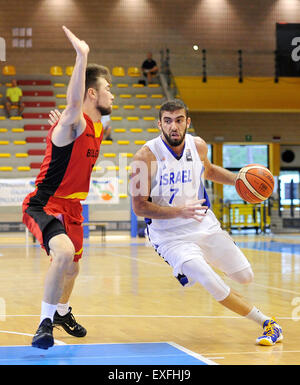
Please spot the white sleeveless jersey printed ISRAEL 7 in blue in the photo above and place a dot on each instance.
(177, 180)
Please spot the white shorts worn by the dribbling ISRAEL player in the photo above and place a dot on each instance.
(205, 240)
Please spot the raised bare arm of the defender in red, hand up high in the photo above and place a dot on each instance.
(72, 122)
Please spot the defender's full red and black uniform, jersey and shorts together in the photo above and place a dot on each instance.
(63, 181)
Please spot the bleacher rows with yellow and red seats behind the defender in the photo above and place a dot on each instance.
(23, 140)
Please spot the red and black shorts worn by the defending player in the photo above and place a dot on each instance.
(46, 216)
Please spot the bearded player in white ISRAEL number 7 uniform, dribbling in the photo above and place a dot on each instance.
(167, 187)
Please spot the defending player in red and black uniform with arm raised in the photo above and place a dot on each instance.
(53, 211)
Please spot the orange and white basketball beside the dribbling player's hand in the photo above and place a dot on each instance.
(254, 183)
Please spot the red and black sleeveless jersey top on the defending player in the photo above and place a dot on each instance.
(66, 171)
